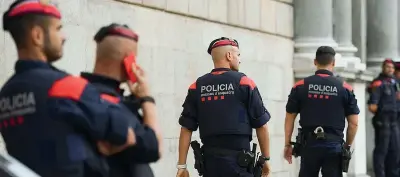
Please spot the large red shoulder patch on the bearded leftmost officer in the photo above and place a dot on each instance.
(69, 87)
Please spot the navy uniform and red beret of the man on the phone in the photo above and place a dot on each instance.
(133, 161)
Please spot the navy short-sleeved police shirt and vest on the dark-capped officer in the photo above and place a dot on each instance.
(322, 100)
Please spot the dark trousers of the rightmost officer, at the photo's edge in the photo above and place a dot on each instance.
(386, 152)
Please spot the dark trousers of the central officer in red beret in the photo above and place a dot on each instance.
(217, 165)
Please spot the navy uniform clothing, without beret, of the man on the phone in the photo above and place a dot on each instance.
(127, 162)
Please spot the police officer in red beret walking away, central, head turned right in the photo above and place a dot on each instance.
(225, 105)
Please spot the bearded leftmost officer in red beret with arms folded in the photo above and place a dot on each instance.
(49, 119)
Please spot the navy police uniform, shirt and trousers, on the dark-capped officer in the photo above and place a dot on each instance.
(322, 101)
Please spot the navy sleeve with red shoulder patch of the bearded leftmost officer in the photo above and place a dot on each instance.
(78, 103)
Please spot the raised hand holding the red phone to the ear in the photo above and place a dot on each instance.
(141, 87)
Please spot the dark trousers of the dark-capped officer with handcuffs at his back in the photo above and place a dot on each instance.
(326, 159)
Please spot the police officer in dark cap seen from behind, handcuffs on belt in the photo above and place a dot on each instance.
(323, 101)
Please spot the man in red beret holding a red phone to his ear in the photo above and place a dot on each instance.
(114, 43)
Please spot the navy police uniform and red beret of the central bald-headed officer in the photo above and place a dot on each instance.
(225, 105)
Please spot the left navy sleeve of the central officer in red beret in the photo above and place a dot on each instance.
(188, 118)
